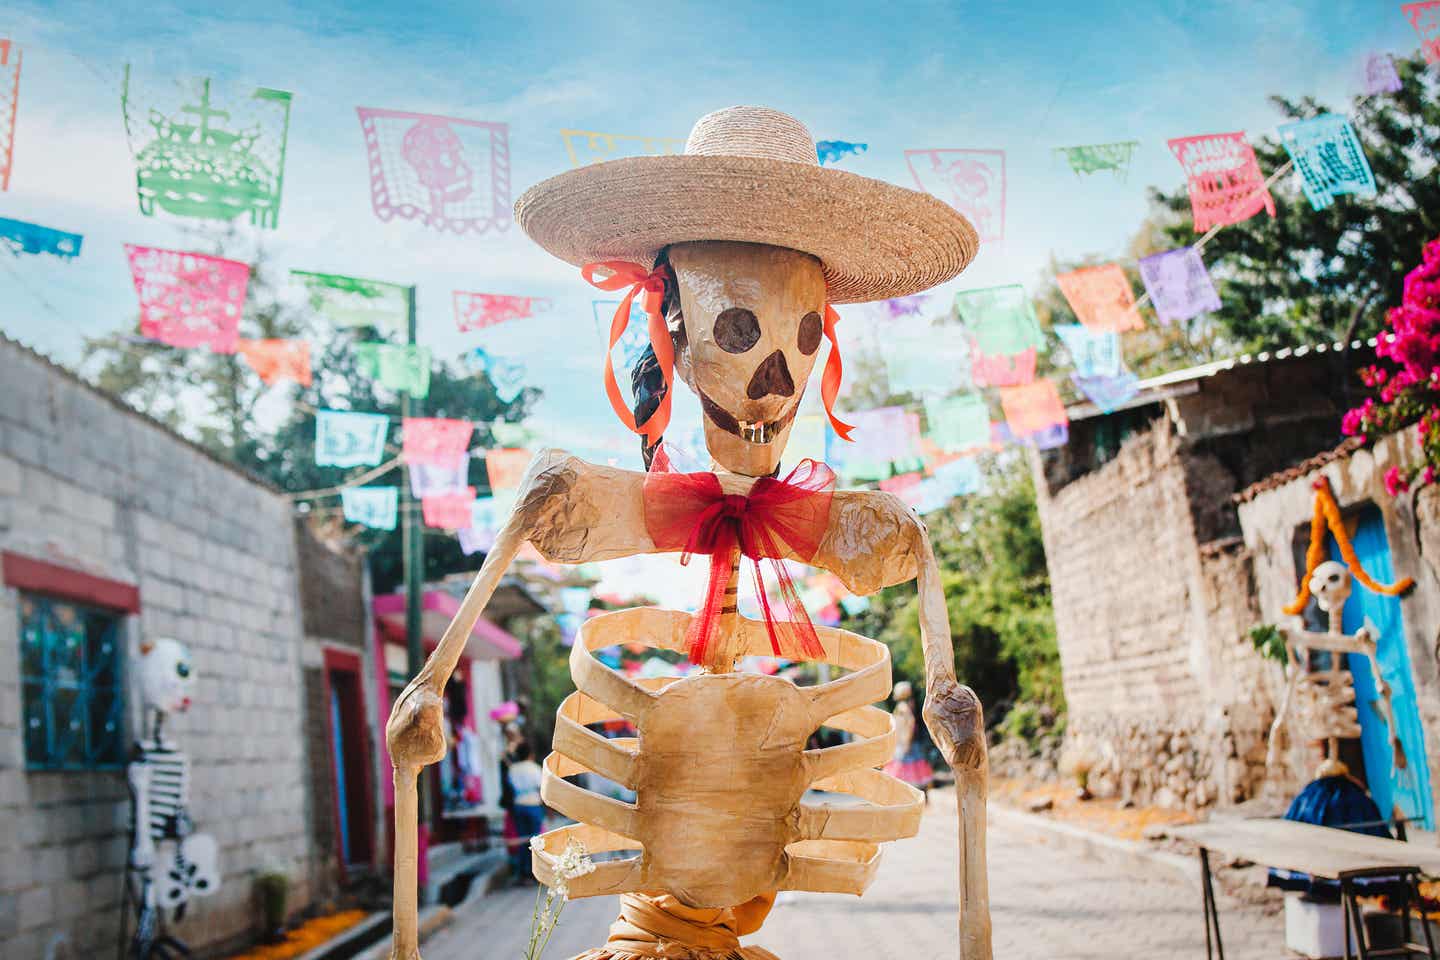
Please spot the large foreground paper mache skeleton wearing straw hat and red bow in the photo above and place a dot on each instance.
(738, 248)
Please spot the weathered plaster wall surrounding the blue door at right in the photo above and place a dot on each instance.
(1272, 522)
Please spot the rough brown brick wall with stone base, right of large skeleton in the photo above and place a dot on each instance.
(1161, 681)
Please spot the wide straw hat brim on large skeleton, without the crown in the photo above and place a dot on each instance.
(875, 240)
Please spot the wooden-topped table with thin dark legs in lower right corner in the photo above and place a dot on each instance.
(1320, 851)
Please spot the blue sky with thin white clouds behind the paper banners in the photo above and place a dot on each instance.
(1016, 77)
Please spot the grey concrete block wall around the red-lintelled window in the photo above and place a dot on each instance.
(93, 487)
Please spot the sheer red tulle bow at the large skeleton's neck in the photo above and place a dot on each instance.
(780, 517)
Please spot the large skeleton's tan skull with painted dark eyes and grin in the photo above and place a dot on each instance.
(751, 325)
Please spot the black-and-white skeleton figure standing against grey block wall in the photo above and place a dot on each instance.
(169, 861)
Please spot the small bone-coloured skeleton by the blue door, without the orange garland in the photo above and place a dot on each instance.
(1320, 700)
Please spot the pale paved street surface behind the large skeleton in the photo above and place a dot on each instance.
(1046, 903)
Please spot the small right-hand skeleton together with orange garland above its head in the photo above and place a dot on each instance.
(1320, 696)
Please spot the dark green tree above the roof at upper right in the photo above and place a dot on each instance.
(1328, 276)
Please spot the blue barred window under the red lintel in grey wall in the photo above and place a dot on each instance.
(71, 686)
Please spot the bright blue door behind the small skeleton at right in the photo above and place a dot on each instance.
(1392, 788)
